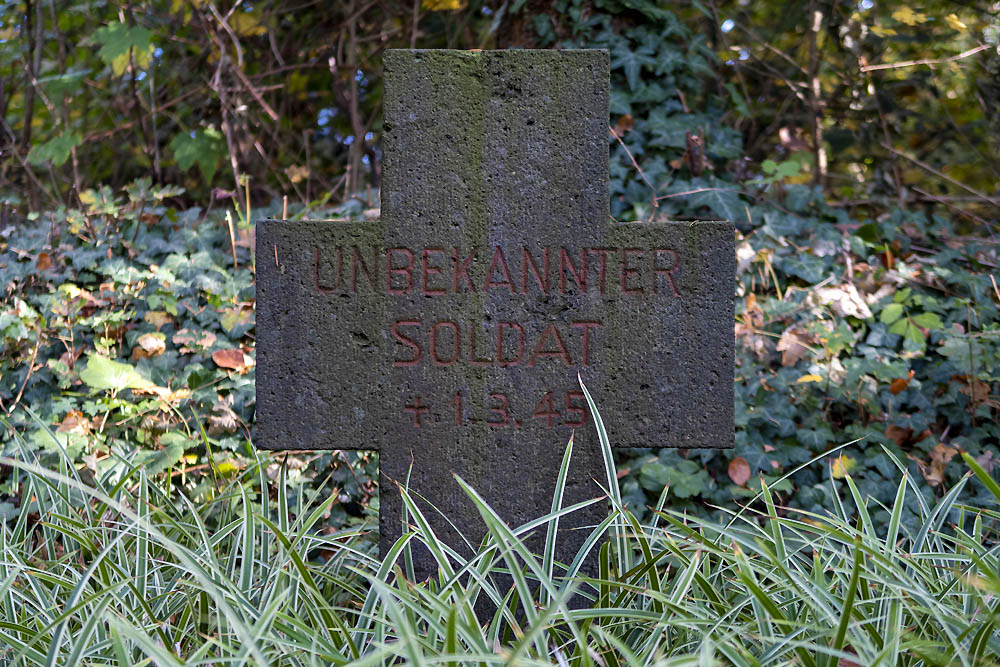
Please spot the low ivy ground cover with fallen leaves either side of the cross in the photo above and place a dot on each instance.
(132, 341)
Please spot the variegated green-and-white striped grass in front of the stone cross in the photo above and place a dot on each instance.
(122, 570)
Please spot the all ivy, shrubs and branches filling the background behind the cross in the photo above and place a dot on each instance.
(854, 144)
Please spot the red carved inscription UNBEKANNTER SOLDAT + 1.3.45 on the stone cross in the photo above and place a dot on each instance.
(434, 271)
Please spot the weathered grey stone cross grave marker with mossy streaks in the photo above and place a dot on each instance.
(448, 335)
